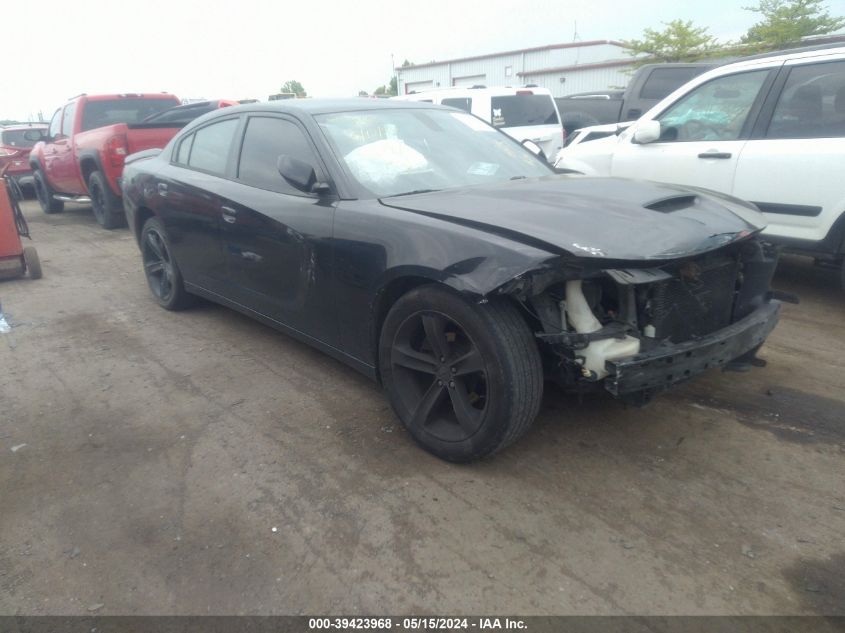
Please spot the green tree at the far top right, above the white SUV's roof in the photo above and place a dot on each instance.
(786, 22)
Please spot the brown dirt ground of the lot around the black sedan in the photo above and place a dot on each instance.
(199, 462)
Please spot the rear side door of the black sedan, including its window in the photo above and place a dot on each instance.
(189, 193)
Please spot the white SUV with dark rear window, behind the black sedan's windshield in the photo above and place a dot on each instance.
(524, 114)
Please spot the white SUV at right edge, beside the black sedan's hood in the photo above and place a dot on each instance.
(769, 129)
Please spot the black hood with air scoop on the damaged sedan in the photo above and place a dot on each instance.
(598, 218)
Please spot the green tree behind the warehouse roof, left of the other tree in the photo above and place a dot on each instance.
(680, 41)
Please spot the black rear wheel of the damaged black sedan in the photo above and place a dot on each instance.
(163, 275)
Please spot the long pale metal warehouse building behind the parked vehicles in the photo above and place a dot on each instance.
(562, 68)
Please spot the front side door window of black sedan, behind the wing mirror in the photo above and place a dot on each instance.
(265, 140)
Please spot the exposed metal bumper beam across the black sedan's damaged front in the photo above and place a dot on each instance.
(662, 367)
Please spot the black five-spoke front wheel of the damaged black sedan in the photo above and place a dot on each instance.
(464, 378)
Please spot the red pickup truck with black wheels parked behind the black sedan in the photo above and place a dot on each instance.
(88, 139)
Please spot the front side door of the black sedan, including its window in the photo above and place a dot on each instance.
(276, 238)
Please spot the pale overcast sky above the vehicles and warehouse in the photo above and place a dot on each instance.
(240, 49)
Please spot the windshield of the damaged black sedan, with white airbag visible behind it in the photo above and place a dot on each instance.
(392, 152)
